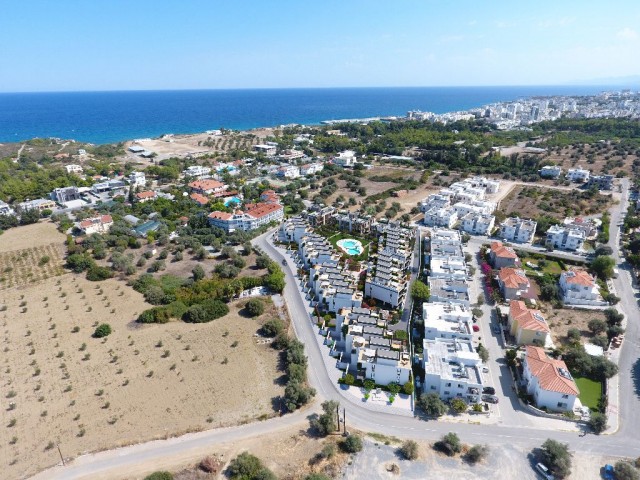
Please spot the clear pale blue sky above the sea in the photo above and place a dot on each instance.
(50, 45)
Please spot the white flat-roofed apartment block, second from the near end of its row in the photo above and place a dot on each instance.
(447, 320)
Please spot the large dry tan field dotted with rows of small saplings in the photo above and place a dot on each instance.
(61, 386)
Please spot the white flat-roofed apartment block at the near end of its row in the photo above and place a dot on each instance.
(452, 369)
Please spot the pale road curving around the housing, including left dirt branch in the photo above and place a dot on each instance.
(626, 442)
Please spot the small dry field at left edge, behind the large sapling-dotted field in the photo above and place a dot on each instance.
(29, 254)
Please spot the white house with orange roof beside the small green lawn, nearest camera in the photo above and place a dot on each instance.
(548, 380)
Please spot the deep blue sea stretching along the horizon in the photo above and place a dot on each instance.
(106, 117)
